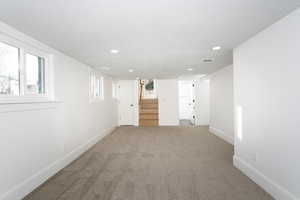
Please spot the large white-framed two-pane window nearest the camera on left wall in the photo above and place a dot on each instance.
(23, 73)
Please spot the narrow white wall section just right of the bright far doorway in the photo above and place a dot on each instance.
(202, 102)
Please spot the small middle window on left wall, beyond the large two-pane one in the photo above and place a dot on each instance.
(96, 87)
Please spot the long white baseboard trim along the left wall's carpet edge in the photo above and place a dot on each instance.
(21, 190)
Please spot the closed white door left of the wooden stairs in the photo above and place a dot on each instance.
(126, 102)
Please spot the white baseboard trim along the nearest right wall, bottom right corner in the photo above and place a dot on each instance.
(277, 191)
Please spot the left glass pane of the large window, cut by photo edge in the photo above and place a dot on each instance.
(9, 70)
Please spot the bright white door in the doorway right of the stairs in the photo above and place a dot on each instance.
(186, 100)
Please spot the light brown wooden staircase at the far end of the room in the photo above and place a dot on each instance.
(148, 112)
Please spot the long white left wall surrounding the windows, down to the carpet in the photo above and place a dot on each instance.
(39, 139)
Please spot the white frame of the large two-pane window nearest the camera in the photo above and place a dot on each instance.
(23, 97)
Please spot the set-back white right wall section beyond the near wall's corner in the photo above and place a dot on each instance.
(221, 103)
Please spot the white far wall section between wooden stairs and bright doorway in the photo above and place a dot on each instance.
(167, 92)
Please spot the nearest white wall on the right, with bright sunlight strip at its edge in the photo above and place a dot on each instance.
(266, 78)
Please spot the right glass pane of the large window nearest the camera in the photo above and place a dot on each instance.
(35, 74)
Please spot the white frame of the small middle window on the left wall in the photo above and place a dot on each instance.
(94, 77)
